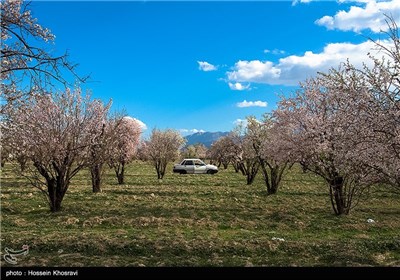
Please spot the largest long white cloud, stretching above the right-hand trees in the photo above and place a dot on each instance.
(292, 69)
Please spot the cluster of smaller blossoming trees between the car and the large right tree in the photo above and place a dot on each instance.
(252, 148)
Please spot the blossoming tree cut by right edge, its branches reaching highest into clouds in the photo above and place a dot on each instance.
(380, 146)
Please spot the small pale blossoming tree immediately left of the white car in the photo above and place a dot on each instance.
(163, 147)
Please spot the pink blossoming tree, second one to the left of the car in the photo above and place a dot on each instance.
(124, 136)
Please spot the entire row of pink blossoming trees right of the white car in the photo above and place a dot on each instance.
(343, 125)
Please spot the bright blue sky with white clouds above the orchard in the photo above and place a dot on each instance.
(203, 66)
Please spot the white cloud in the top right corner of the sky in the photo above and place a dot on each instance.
(369, 15)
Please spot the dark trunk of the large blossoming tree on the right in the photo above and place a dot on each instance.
(338, 198)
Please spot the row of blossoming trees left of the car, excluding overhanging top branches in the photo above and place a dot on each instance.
(58, 135)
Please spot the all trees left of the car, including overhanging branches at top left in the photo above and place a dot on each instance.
(54, 134)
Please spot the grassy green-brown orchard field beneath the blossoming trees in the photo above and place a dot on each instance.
(197, 220)
